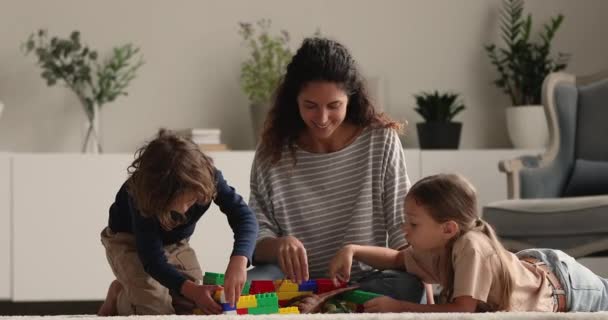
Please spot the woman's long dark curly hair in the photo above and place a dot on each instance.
(324, 60)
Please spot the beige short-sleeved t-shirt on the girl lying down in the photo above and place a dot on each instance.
(476, 269)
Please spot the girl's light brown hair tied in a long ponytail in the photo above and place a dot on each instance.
(450, 197)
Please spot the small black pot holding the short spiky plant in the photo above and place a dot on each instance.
(439, 135)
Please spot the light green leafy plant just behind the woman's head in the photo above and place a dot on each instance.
(262, 71)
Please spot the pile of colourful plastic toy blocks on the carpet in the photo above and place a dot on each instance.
(272, 297)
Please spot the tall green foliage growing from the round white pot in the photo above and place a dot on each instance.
(523, 64)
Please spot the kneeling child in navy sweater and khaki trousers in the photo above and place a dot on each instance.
(171, 185)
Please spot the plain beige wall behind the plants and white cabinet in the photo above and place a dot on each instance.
(193, 52)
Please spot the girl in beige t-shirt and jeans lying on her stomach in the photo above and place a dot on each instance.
(453, 247)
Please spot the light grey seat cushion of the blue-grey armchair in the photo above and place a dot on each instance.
(577, 225)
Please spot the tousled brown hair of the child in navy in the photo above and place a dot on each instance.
(165, 168)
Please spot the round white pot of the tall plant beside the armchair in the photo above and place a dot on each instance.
(527, 127)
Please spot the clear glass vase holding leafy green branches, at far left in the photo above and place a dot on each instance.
(75, 65)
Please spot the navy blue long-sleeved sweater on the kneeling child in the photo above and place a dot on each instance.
(150, 237)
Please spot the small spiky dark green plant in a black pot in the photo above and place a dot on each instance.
(438, 110)
